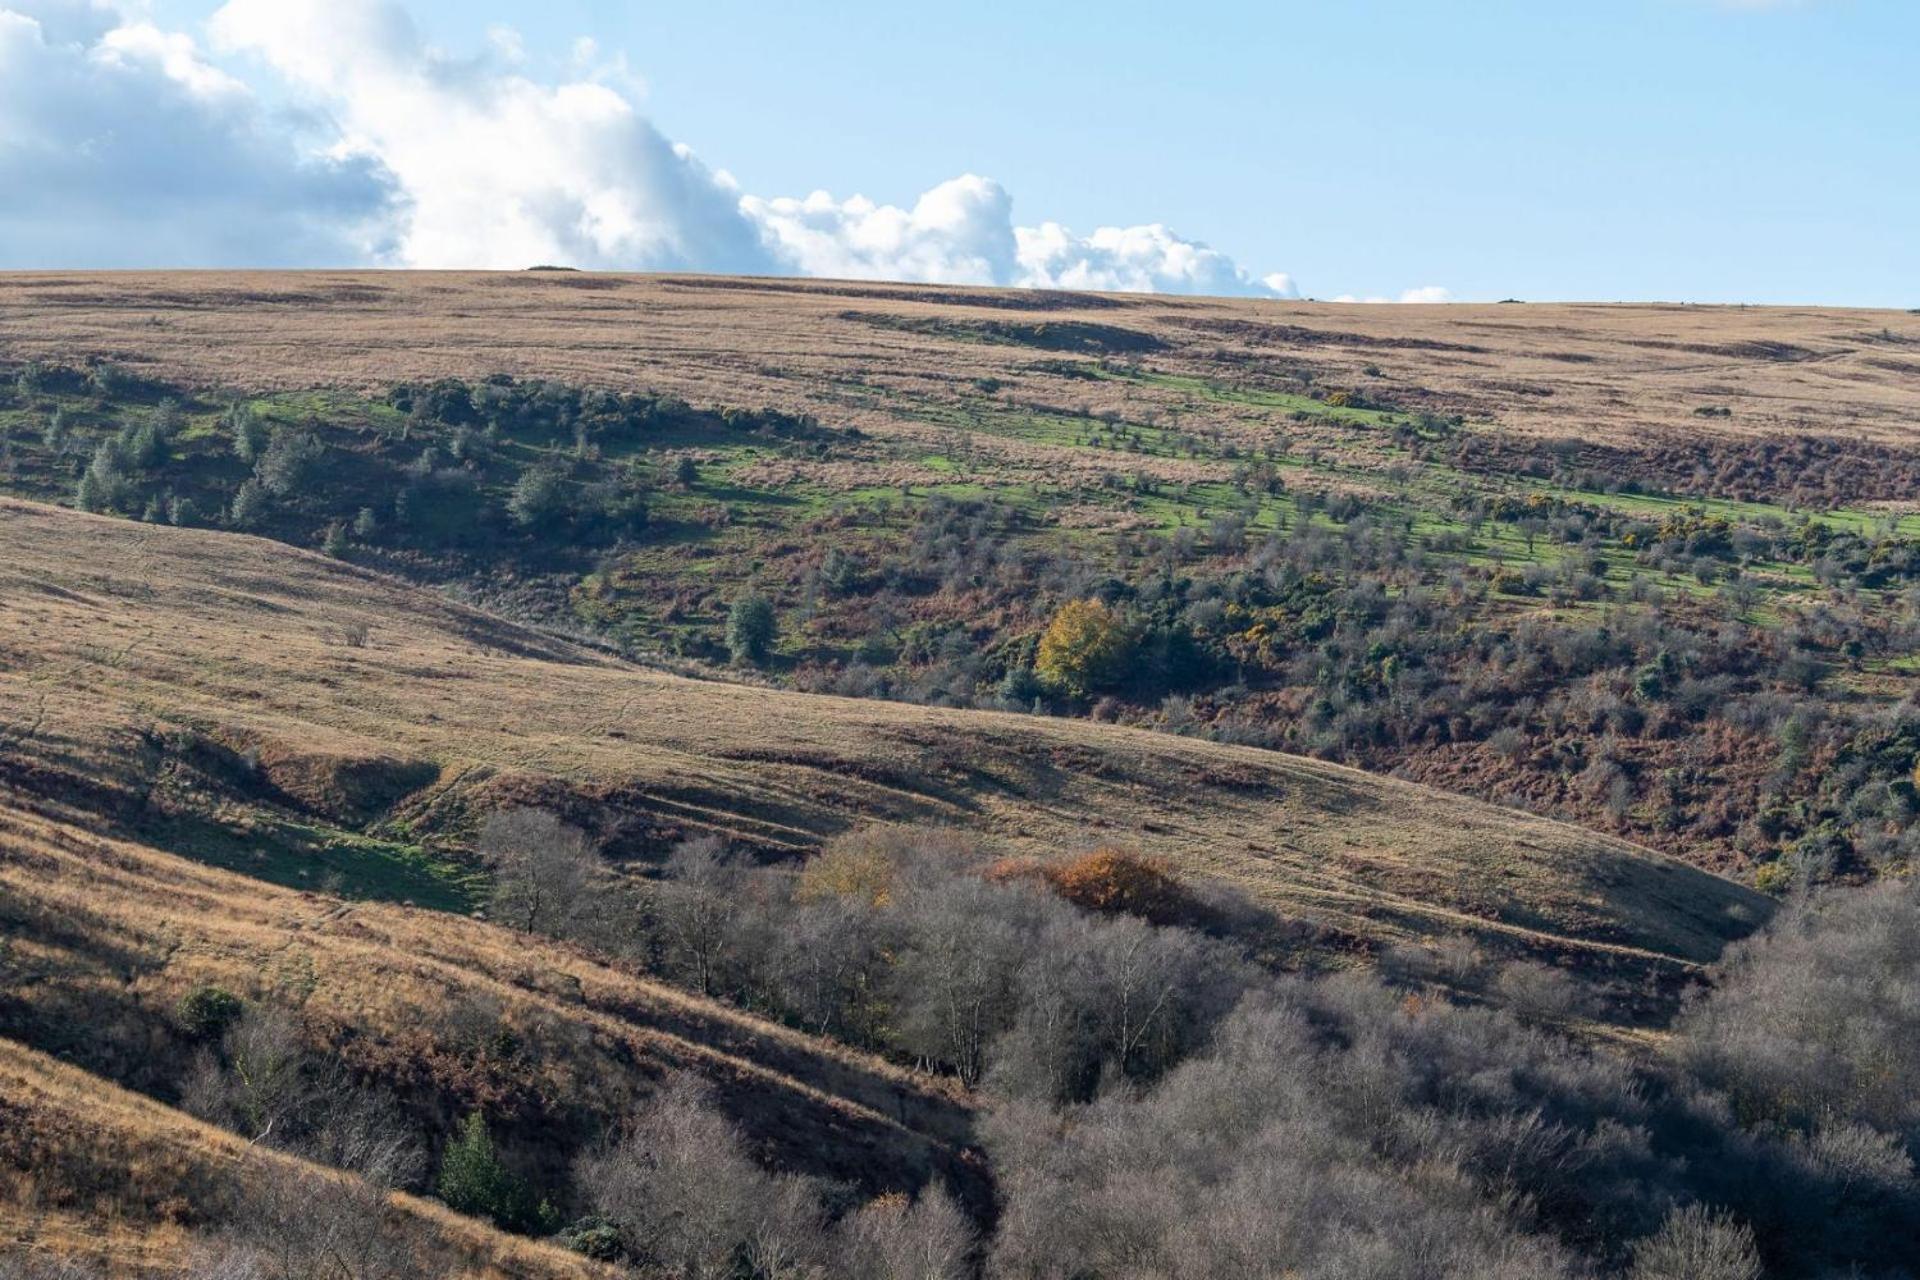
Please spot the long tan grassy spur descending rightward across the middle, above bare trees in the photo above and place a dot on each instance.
(108, 652)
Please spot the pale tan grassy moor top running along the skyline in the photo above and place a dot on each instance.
(1627, 375)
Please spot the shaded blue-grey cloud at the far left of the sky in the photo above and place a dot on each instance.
(122, 147)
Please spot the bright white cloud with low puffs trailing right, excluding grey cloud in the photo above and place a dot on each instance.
(502, 172)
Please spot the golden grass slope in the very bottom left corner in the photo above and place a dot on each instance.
(108, 1173)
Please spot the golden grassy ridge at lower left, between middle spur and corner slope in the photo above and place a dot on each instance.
(126, 932)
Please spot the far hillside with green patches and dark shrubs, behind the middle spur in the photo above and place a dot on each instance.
(1643, 569)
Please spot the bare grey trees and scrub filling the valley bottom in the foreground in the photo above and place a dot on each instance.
(1159, 1101)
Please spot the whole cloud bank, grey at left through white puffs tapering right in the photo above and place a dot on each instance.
(139, 147)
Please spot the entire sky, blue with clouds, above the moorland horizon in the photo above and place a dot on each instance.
(1395, 151)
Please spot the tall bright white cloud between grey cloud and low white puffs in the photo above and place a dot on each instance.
(496, 168)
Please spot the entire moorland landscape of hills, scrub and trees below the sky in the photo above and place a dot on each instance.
(504, 776)
